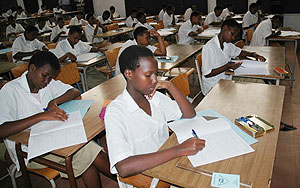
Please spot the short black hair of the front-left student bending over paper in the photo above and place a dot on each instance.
(43, 58)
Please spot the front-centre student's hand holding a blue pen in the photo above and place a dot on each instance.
(191, 146)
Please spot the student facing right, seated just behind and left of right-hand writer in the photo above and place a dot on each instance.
(190, 28)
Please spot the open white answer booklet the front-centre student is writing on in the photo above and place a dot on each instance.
(221, 142)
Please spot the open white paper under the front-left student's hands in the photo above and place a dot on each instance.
(47, 136)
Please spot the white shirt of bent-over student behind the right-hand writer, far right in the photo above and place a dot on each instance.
(263, 30)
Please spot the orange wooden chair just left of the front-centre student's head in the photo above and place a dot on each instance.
(111, 56)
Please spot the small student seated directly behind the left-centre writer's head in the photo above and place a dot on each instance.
(60, 31)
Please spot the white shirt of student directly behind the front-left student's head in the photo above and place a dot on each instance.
(23, 45)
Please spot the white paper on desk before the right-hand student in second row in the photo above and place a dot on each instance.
(250, 67)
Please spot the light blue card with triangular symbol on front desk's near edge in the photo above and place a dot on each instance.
(225, 180)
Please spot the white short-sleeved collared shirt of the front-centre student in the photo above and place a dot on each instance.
(130, 131)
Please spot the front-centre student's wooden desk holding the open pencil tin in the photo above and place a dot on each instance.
(233, 100)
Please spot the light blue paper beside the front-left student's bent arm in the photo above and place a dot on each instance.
(74, 105)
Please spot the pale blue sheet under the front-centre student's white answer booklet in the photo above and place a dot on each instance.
(210, 112)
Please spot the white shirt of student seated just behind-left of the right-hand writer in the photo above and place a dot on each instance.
(184, 30)
